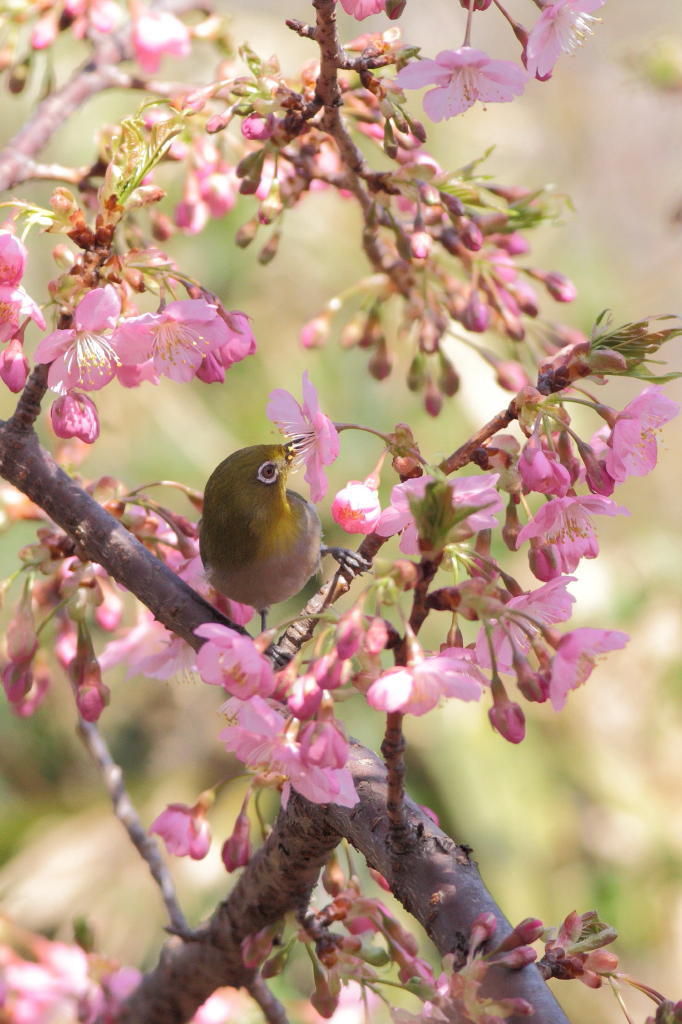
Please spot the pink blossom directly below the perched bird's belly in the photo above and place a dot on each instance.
(233, 661)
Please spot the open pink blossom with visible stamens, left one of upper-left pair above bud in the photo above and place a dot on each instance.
(84, 357)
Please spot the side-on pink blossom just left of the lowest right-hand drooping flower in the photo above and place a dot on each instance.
(521, 620)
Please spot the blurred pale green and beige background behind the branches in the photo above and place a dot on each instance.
(587, 813)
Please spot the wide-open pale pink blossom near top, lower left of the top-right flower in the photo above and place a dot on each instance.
(461, 78)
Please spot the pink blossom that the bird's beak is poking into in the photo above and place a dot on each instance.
(316, 438)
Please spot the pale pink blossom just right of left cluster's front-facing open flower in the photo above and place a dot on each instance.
(176, 339)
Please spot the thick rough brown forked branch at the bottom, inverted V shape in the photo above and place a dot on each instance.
(436, 880)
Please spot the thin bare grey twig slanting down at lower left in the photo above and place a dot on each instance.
(127, 816)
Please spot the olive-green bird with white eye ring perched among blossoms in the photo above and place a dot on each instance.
(260, 542)
